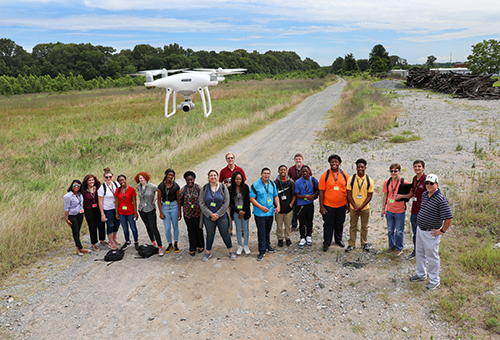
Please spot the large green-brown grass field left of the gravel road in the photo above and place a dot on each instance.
(46, 141)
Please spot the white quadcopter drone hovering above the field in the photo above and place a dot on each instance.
(187, 83)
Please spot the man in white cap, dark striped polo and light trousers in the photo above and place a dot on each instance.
(433, 220)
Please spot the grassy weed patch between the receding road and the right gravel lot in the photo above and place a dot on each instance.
(362, 113)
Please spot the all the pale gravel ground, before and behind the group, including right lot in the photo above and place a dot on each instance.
(291, 294)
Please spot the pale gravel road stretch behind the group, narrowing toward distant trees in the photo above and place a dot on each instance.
(278, 142)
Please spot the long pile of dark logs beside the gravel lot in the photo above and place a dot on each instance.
(472, 86)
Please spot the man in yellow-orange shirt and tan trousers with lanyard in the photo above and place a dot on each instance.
(359, 194)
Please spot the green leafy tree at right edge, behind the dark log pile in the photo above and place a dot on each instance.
(485, 57)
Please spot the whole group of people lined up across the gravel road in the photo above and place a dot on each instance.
(289, 200)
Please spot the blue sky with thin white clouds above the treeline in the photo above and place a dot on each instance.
(321, 30)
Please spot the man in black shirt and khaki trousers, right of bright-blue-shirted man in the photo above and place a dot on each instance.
(286, 195)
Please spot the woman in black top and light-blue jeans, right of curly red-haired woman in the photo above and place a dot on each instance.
(168, 204)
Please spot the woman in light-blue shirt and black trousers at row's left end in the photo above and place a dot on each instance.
(73, 213)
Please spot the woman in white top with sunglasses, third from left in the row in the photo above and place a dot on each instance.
(106, 196)
